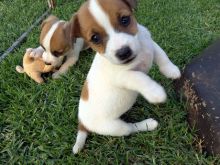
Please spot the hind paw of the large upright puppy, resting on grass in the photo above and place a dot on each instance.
(147, 125)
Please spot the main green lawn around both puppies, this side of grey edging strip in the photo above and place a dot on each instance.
(38, 123)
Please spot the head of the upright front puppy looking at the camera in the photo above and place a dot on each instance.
(109, 27)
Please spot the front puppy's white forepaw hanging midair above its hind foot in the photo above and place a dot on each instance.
(156, 95)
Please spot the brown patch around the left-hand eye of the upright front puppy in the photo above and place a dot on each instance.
(89, 27)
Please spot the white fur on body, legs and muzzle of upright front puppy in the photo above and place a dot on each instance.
(113, 88)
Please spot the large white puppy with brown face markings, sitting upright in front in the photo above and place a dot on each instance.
(125, 51)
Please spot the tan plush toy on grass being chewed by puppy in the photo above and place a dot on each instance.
(34, 67)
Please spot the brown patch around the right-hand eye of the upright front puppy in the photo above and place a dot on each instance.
(119, 9)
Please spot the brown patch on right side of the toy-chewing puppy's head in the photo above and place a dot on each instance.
(60, 42)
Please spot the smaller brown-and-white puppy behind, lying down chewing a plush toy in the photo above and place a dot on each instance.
(57, 43)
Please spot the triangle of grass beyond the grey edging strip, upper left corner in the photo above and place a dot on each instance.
(15, 17)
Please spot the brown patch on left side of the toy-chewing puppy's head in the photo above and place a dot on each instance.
(46, 25)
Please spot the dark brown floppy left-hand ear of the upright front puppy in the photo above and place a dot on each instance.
(73, 28)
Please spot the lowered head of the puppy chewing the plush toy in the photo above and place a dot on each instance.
(55, 39)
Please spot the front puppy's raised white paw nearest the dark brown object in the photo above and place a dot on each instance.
(171, 71)
